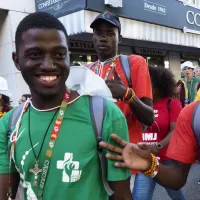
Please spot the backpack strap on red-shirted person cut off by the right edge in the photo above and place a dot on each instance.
(196, 124)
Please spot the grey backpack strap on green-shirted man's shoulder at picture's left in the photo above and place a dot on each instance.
(14, 118)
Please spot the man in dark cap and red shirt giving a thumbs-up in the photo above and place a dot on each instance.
(135, 102)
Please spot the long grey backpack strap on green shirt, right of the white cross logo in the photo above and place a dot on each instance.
(98, 111)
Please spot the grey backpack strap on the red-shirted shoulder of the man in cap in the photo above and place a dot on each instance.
(126, 67)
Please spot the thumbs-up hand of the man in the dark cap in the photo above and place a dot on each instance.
(117, 88)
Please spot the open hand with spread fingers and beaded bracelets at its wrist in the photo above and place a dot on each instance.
(131, 156)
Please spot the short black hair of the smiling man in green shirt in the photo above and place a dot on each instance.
(37, 20)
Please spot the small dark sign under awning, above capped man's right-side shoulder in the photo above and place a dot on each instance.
(152, 52)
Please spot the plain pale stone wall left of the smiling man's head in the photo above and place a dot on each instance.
(11, 13)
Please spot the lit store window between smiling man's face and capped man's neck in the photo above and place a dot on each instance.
(81, 59)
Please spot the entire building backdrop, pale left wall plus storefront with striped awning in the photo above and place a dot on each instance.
(165, 32)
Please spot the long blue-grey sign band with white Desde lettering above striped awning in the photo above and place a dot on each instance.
(170, 13)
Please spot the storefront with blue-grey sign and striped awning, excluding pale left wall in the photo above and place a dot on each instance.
(166, 33)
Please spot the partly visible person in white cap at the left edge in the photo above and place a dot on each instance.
(5, 95)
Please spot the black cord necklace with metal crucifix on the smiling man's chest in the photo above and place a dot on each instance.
(36, 170)
